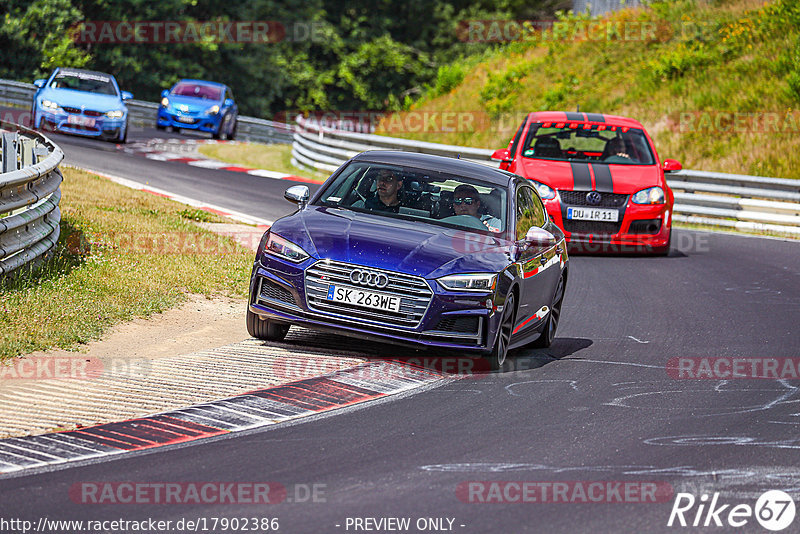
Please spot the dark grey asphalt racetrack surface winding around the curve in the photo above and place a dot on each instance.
(598, 405)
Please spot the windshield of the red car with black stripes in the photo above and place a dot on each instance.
(577, 141)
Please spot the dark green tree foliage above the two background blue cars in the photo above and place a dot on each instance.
(346, 55)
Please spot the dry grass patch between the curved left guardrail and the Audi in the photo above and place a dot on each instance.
(121, 254)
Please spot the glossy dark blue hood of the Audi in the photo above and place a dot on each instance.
(410, 247)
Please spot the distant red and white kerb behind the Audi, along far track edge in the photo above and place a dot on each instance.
(184, 151)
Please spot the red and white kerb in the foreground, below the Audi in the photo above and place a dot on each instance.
(365, 382)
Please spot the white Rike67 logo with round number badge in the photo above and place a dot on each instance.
(774, 510)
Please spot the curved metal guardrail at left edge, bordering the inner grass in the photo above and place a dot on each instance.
(29, 197)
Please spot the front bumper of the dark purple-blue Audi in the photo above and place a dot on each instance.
(452, 321)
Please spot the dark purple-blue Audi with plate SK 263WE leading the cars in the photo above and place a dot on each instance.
(414, 249)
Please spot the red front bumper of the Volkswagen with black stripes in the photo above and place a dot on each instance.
(643, 229)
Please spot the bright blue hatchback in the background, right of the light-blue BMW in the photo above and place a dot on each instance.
(199, 105)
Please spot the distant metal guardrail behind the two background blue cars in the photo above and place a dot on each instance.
(143, 114)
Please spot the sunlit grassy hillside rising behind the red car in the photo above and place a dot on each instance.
(718, 88)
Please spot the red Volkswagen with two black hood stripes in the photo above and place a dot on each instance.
(600, 178)
